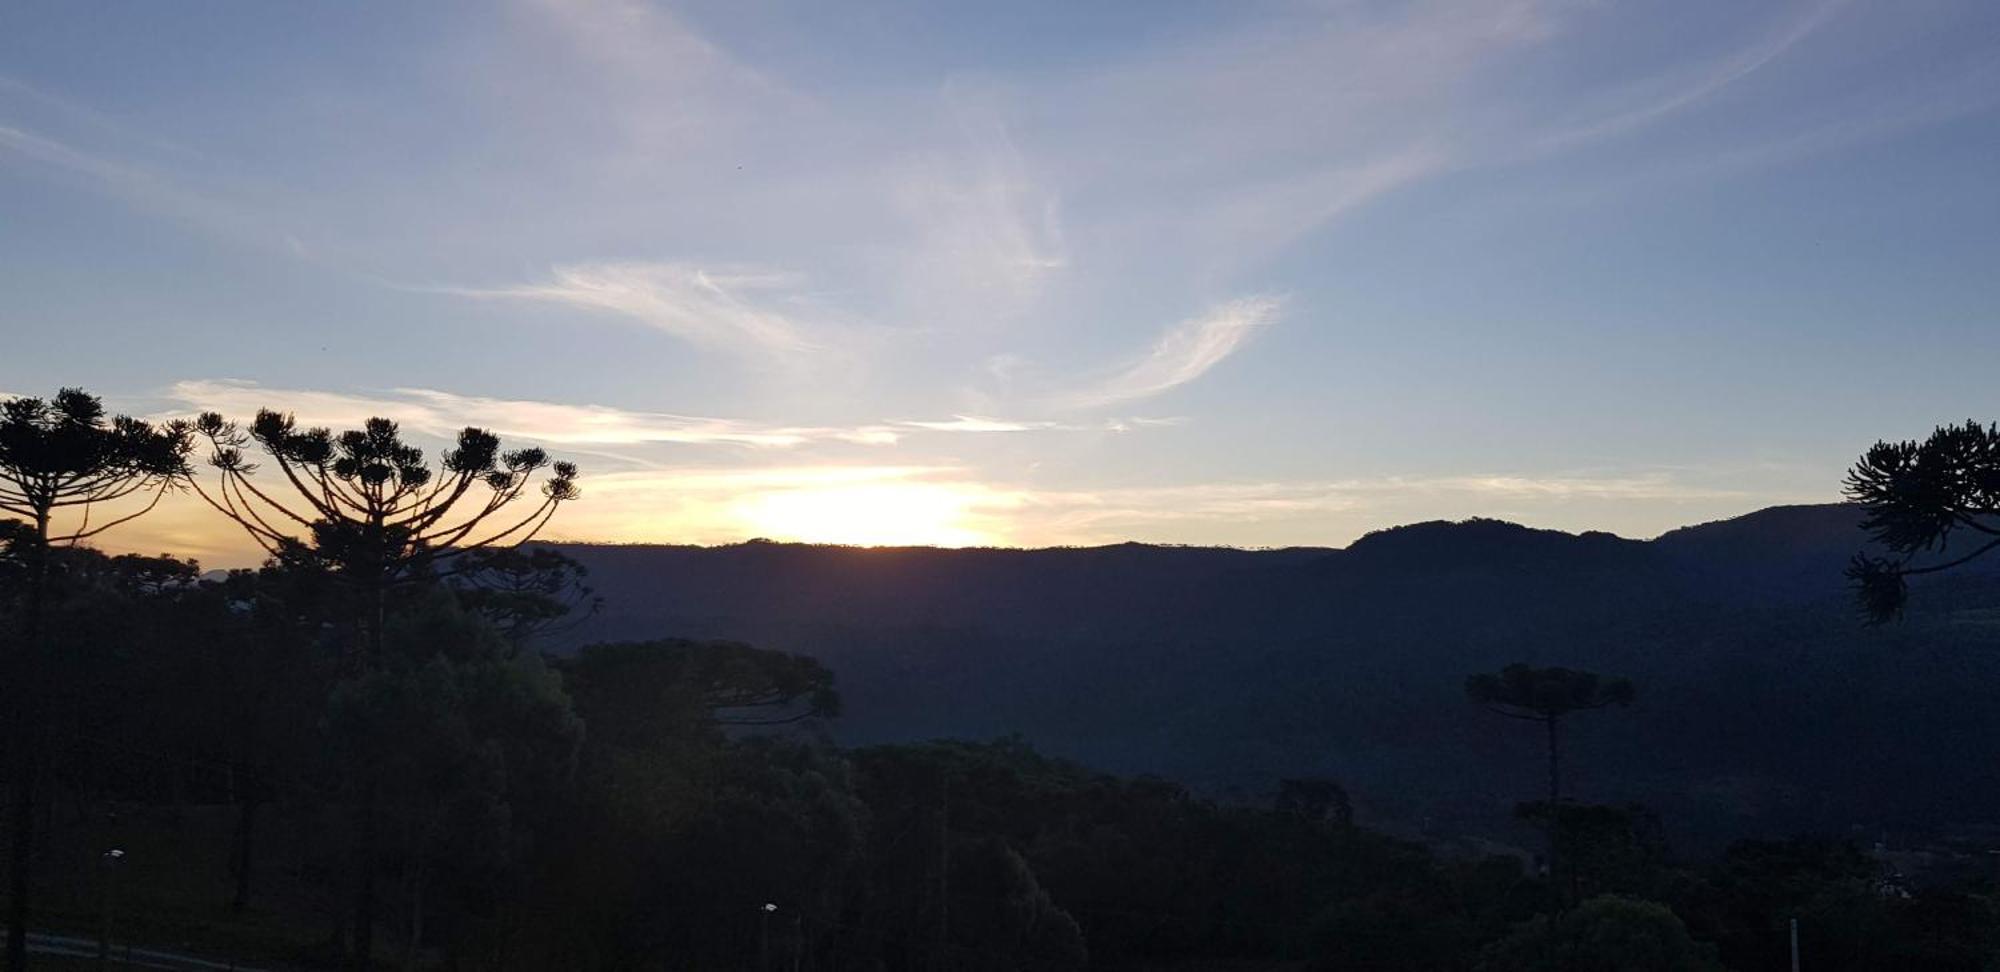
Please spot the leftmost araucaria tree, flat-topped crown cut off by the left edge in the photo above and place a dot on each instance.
(63, 459)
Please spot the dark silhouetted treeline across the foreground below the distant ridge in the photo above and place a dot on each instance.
(361, 755)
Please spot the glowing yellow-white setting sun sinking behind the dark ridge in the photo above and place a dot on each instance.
(869, 515)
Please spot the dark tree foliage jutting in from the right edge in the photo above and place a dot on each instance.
(1919, 497)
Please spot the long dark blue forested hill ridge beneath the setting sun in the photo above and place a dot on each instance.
(1765, 705)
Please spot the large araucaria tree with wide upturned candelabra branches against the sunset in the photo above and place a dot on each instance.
(375, 515)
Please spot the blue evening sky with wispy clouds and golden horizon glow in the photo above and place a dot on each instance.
(1035, 273)
